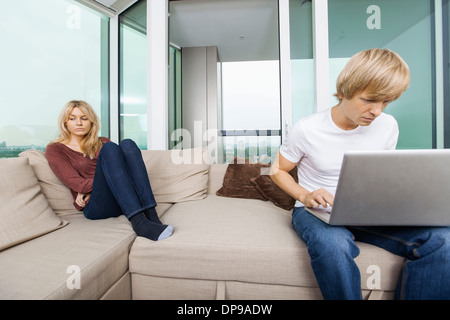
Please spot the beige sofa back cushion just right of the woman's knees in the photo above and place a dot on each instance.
(177, 175)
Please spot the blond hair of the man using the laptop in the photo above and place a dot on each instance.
(381, 73)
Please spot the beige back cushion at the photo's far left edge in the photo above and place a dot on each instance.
(24, 211)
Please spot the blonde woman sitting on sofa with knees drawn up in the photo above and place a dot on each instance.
(105, 179)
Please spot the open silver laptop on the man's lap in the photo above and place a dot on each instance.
(391, 188)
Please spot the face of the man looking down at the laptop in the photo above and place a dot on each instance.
(361, 110)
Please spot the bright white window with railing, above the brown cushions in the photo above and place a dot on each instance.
(251, 109)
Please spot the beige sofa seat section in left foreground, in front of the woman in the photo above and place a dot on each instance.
(46, 267)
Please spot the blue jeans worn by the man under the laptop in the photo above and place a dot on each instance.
(426, 269)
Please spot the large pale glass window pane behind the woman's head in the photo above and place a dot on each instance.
(53, 51)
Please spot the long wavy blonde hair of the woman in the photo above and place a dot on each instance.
(91, 142)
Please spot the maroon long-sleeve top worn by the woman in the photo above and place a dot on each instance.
(72, 168)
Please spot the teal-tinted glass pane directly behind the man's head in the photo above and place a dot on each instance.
(406, 27)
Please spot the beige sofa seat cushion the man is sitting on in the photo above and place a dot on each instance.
(241, 240)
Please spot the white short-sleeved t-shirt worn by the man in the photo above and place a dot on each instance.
(318, 145)
